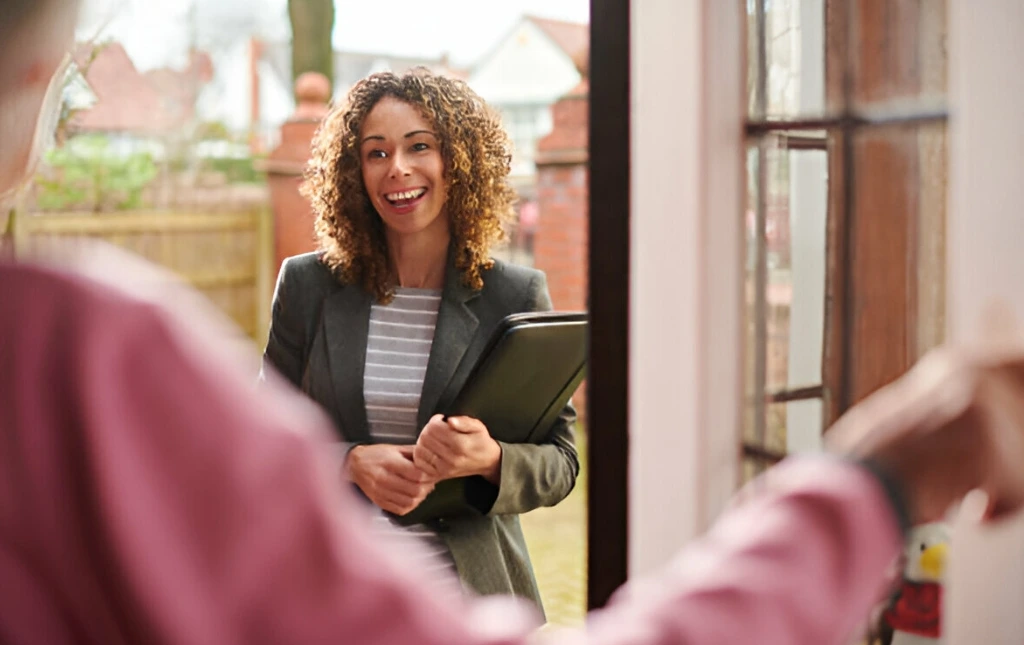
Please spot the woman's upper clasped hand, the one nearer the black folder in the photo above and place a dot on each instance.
(458, 448)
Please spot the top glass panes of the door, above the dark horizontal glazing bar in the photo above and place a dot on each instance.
(898, 57)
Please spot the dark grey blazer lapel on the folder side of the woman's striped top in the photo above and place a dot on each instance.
(456, 327)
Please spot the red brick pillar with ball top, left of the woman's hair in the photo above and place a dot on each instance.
(293, 219)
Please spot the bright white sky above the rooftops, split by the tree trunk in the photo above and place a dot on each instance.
(157, 33)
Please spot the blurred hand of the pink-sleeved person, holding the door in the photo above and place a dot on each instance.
(955, 423)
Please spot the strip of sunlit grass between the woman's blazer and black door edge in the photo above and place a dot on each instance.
(558, 541)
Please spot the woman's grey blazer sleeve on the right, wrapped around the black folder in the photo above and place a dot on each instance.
(542, 475)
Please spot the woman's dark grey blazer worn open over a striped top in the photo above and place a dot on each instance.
(318, 341)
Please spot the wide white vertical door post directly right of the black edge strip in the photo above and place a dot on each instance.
(689, 102)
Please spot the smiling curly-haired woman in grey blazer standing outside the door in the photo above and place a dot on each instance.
(409, 182)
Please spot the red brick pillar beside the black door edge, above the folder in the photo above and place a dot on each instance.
(561, 242)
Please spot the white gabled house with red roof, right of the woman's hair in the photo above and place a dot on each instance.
(537, 63)
